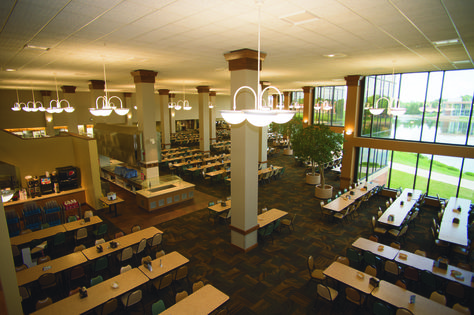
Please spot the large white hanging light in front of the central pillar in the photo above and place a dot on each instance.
(262, 115)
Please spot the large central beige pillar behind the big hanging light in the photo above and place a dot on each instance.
(243, 65)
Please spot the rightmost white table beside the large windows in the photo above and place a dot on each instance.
(452, 232)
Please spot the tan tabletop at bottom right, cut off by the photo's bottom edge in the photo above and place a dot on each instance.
(400, 297)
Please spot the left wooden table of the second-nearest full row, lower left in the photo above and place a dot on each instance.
(53, 266)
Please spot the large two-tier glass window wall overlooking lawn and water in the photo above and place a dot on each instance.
(438, 110)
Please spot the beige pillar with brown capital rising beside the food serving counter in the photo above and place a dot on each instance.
(144, 85)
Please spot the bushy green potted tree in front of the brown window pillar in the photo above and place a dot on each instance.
(320, 145)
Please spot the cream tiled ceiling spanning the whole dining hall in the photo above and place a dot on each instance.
(185, 40)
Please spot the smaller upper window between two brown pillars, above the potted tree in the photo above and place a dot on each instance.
(330, 105)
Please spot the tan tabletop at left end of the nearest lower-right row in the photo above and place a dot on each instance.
(350, 276)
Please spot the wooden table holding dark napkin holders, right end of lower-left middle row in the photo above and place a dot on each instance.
(122, 242)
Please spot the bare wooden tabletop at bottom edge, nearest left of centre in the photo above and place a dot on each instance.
(202, 302)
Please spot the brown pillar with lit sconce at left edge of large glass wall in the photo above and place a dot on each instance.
(351, 126)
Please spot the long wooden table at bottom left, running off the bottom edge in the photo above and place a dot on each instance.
(97, 294)
